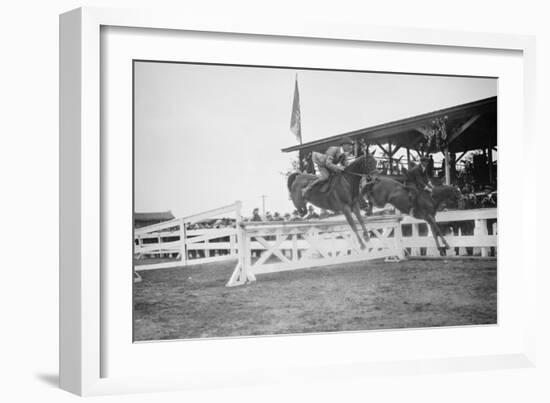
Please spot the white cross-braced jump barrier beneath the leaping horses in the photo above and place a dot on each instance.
(297, 245)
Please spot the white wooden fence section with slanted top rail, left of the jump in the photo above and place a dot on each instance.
(188, 246)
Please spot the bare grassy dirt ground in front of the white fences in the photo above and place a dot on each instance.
(193, 302)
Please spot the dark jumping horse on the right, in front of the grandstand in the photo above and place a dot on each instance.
(382, 191)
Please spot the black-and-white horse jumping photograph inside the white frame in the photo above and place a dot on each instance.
(274, 201)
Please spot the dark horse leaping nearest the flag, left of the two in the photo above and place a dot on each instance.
(342, 196)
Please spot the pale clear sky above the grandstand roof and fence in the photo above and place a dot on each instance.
(206, 136)
